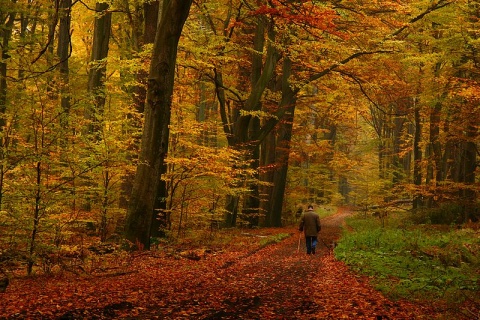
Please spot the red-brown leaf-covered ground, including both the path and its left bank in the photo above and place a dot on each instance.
(276, 281)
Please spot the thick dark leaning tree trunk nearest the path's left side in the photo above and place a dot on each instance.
(154, 145)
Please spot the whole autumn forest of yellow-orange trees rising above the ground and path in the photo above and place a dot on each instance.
(137, 123)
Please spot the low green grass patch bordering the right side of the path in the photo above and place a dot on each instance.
(413, 261)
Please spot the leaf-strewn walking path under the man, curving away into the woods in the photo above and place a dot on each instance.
(282, 282)
